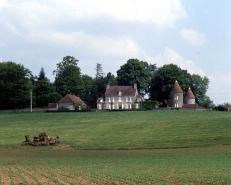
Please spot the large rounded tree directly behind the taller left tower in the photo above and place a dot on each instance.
(163, 80)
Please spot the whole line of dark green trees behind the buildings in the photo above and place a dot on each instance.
(16, 82)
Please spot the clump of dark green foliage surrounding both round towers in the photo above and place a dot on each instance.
(164, 78)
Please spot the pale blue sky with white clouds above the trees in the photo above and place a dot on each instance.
(195, 35)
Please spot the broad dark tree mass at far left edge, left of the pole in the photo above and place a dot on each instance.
(15, 86)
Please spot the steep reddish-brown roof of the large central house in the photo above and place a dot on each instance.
(125, 91)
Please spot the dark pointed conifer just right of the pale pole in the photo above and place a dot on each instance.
(45, 91)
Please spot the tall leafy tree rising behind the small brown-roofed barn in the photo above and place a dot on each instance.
(68, 77)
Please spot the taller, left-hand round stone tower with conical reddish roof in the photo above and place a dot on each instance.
(176, 96)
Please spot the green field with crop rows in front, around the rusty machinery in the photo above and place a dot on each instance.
(148, 147)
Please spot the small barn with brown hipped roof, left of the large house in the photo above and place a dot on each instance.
(69, 102)
